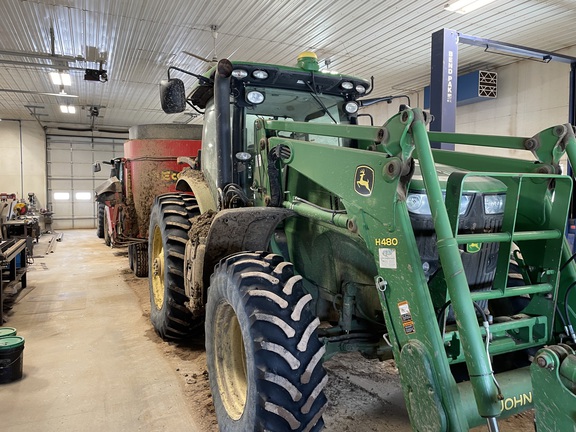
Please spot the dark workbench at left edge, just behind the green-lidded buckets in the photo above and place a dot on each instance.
(13, 268)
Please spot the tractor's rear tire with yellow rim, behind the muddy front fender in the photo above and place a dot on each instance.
(168, 234)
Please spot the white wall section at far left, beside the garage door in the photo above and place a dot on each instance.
(23, 159)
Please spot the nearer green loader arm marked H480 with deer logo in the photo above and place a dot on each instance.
(371, 186)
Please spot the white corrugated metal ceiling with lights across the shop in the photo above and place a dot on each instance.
(140, 38)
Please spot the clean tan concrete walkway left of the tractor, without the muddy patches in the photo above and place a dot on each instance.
(88, 365)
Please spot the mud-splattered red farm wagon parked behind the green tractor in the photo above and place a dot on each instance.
(149, 168)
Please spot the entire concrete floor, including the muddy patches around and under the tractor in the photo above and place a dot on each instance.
(93, 363)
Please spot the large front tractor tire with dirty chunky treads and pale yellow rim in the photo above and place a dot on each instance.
(263, 352)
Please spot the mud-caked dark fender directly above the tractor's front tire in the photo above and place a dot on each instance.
(231, 230)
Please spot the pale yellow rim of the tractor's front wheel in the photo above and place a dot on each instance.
(230, 356)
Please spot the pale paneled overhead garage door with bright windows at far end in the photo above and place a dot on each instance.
(71, 181)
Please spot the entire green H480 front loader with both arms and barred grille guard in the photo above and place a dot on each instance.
(371, 183)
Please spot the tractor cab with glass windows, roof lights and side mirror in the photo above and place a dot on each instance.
(247, 92)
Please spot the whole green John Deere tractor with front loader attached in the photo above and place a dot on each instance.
(298, 234)
